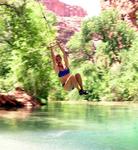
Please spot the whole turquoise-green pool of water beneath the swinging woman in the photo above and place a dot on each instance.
(70, 127)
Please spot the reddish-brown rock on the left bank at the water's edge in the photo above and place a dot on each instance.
(18, 98)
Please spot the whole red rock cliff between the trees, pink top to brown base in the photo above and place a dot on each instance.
(69, 18)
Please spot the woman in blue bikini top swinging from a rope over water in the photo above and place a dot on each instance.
(68, 81)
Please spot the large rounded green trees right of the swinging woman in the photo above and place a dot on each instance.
(110, 70)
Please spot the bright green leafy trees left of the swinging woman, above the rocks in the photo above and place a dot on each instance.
(24, 38)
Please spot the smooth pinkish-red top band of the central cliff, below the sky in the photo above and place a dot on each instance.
(65, 10)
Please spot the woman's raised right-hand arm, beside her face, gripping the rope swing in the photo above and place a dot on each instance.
(65, 55)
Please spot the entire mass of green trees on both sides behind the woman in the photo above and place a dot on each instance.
(109, 68)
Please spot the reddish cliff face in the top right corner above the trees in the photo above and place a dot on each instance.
(128, 10)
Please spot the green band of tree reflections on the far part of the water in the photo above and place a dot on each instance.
(59, 116)
